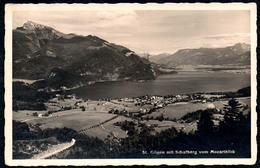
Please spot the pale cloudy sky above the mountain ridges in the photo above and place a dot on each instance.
(149, 31)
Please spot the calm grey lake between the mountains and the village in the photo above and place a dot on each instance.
(181, 83)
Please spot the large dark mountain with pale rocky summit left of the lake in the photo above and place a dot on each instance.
(41, 52)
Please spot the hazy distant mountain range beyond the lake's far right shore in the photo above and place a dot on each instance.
(239, 54)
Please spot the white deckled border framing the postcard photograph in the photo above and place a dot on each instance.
(9, 8)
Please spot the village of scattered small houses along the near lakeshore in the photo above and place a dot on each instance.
(126, 106)
